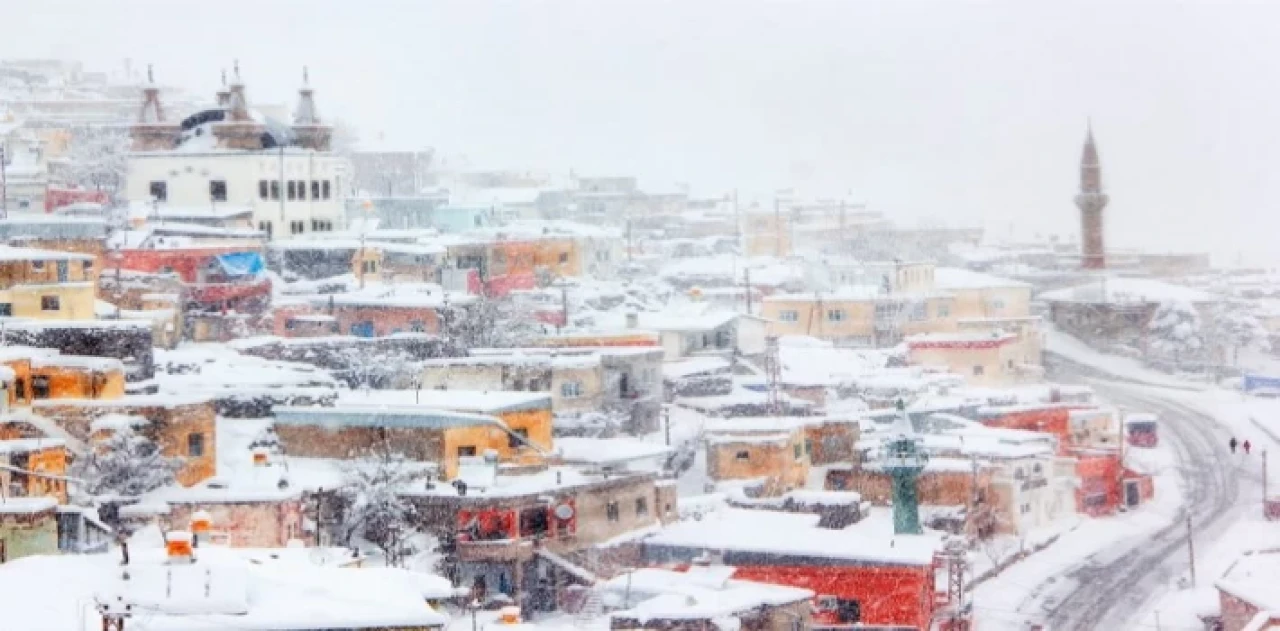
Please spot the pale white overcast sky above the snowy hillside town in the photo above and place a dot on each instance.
(952, 112)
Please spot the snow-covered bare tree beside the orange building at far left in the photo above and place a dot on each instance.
(126, 465)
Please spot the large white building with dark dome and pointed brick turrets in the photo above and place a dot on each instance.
(237, 157)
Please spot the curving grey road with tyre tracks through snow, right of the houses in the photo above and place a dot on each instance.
(1113, 586)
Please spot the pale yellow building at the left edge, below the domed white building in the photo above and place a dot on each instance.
(47, 285)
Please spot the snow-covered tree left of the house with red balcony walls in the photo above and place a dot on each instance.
(374, 513)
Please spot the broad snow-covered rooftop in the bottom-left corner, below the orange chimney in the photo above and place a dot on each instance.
(221, 591)
